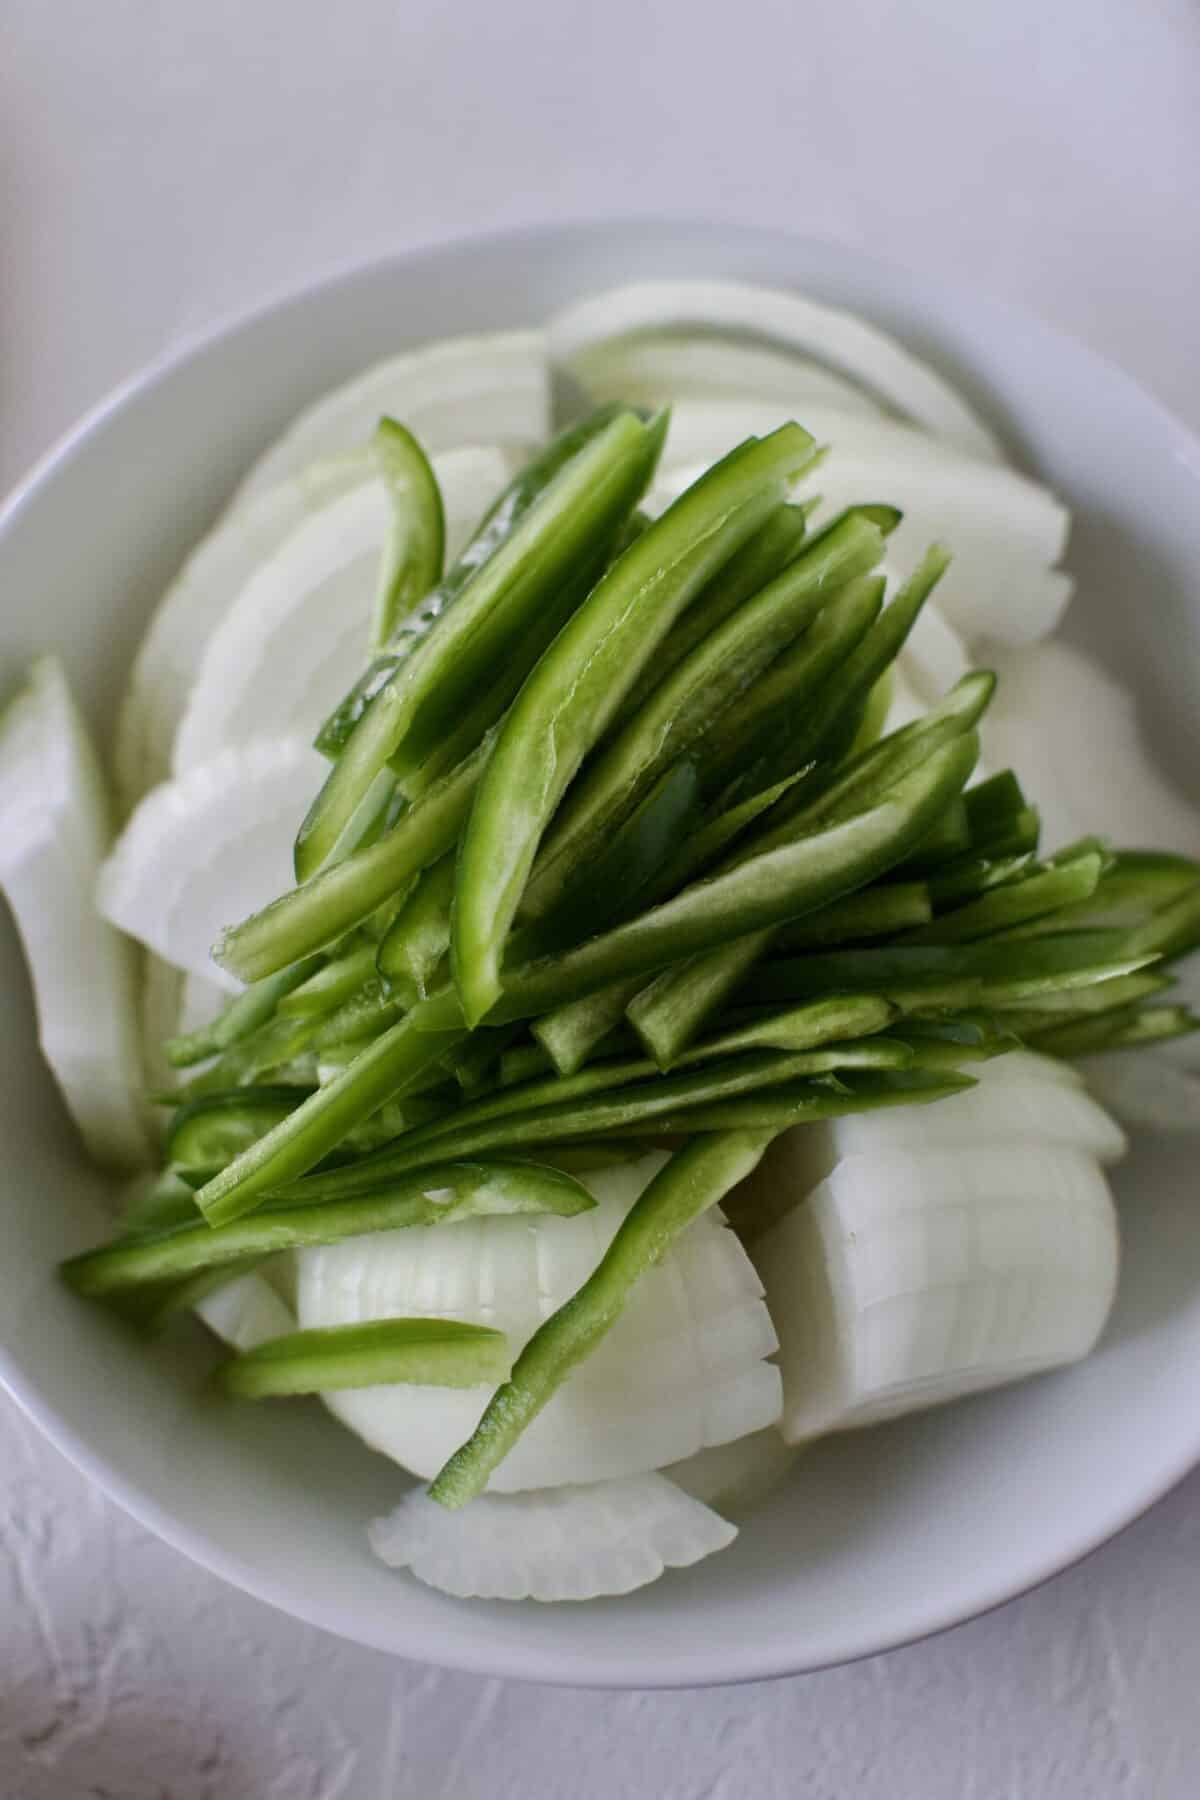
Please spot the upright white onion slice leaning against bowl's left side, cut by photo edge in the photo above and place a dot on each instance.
(55, 823)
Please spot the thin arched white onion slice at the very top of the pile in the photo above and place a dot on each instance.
(791, 321)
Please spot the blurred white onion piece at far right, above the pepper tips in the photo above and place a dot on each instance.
(1071, 733)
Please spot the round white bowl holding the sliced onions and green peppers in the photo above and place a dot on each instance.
(882, 1536)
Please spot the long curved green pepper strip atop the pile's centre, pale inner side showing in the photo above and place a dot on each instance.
(578, 687)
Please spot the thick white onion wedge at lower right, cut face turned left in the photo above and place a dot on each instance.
(915, 1277)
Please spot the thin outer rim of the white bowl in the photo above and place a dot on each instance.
(562, 1666)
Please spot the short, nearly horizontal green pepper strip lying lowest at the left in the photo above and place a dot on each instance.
(433, 1353)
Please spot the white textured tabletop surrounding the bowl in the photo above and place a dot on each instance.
(168, 165)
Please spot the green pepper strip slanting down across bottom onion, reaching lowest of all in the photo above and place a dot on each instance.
(694, 1180)
